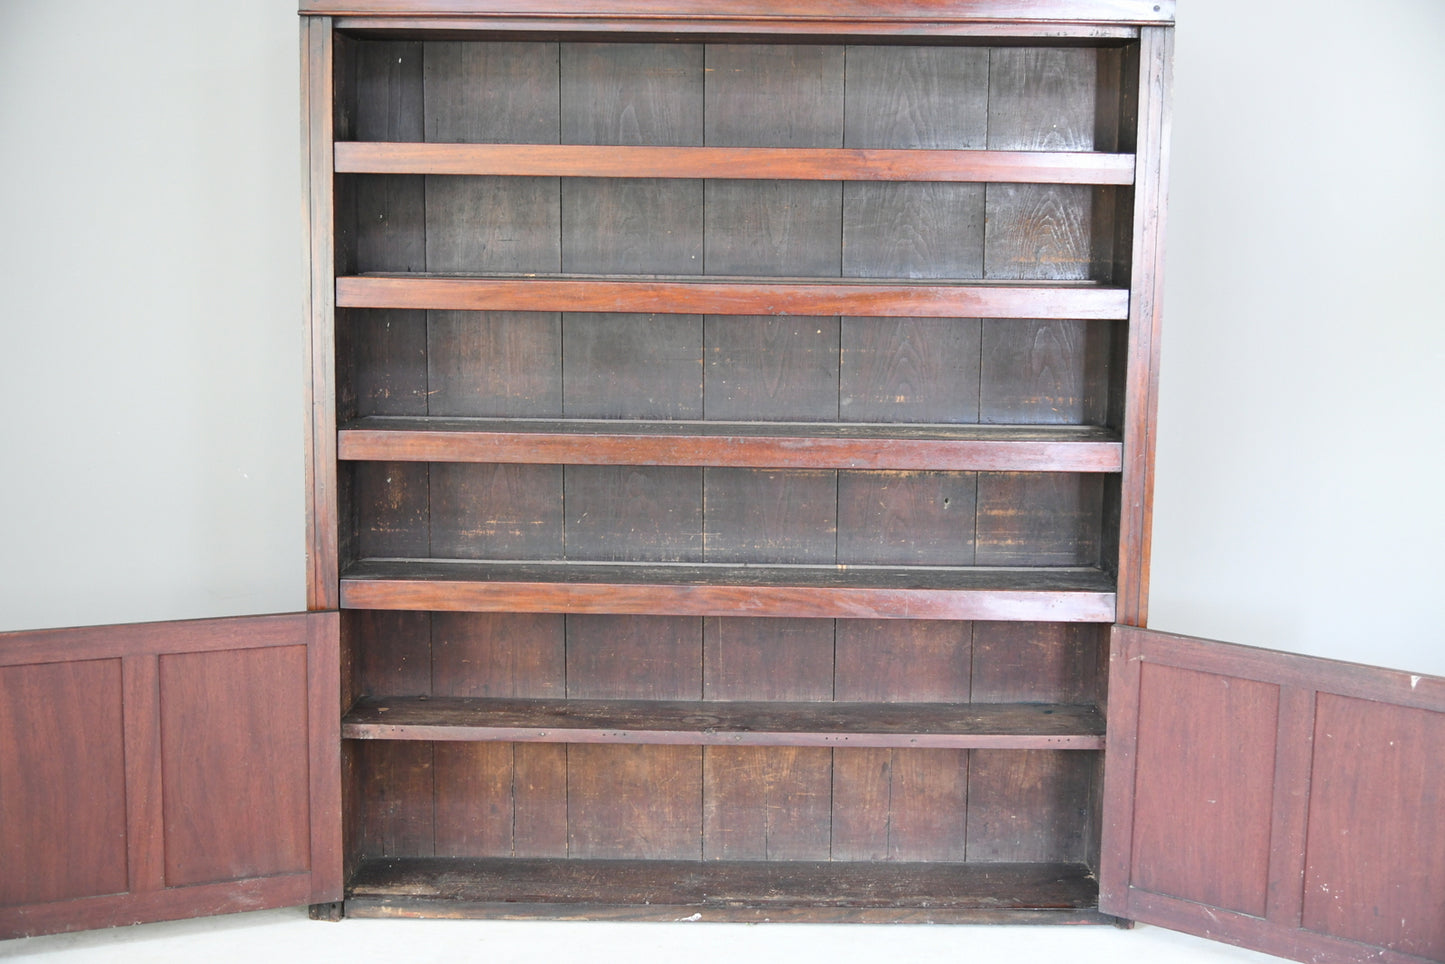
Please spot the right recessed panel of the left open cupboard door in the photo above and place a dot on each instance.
(225, 718)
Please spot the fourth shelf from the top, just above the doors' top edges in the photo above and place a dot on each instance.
(826, 592)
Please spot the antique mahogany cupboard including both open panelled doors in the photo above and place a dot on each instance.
(730, 452)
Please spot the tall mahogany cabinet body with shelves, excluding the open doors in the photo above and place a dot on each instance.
(735, 469)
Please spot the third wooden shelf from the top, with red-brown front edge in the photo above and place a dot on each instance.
(1067, 449)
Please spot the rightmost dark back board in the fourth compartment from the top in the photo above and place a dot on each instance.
(1040, 518)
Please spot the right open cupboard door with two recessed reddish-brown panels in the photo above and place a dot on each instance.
(1287, 804)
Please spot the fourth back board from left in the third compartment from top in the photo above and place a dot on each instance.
(771, 368)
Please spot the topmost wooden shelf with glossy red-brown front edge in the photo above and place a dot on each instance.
(771, 164)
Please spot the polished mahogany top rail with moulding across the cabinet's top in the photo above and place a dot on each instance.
(1089, 21)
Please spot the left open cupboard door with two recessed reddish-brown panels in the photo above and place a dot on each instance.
(164, 771)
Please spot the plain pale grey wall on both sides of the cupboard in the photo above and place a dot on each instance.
(151, 450)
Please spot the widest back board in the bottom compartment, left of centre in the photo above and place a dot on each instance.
(641, 803)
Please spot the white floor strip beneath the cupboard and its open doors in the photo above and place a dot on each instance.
(280, 937)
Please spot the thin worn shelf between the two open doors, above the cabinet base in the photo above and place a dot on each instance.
(715, 723)
